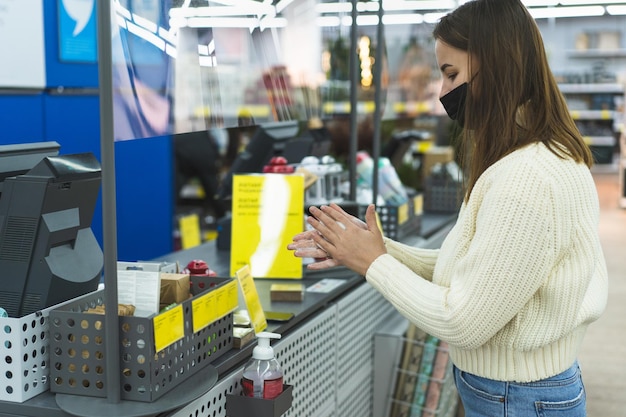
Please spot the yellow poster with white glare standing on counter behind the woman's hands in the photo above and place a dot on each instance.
(268, 210)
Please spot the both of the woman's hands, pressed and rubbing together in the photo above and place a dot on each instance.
(341, 239)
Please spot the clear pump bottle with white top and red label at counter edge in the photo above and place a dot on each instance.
(262, 375)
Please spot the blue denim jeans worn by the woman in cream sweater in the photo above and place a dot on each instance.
(560, 395)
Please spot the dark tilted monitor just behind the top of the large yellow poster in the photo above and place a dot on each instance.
(268, 141)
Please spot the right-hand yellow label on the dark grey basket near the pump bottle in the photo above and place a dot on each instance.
(213, 305)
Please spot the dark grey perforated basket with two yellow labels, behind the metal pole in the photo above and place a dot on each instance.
(77, 356)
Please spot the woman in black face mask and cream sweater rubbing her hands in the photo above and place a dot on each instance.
(521, 274)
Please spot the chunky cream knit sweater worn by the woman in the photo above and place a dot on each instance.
(519, 277)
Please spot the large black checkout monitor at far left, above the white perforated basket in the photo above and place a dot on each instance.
(48, 253)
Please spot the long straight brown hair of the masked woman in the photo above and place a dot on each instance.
(513, 99)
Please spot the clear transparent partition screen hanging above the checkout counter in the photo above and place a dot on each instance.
(193, 65)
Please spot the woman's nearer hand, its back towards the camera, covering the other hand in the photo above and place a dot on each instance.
(344, 241)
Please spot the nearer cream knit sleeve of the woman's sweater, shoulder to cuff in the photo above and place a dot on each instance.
(499, 258)
